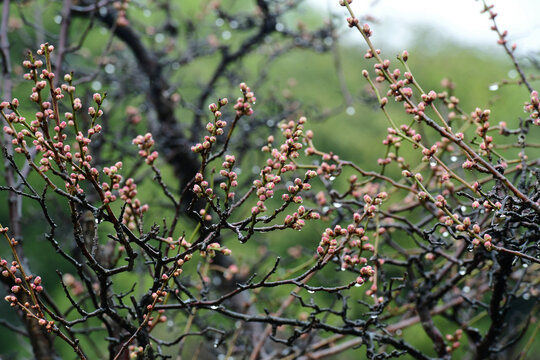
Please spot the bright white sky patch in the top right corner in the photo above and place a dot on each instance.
(458, 20)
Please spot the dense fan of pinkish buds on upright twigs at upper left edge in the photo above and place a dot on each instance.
(59, 142)
